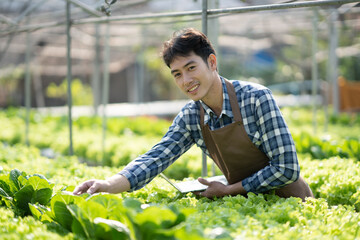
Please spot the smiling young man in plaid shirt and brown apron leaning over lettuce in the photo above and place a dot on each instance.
(237, 124)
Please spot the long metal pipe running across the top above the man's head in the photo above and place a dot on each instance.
(210, 12)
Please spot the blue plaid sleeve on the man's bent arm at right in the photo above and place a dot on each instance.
(277, 143)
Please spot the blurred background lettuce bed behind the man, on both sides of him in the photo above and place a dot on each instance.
(47, 132)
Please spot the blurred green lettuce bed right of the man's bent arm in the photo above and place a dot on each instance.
(341, 139)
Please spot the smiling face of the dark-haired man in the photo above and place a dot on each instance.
(193, 76)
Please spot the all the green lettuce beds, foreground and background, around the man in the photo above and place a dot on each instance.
(36, 199)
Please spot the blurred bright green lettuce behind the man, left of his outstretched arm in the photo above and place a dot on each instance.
(52, 132)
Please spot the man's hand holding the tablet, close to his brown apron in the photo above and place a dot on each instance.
(218, 189)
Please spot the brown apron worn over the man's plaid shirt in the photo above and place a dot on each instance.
(237, 157)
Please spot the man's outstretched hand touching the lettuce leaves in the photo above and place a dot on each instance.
(115, 184)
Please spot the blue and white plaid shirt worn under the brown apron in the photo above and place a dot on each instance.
(263, 123)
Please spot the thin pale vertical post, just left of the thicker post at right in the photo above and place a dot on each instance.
(314, 72)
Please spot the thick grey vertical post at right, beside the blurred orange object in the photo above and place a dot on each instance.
(333, 61)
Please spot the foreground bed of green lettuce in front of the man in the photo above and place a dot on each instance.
(38, 204)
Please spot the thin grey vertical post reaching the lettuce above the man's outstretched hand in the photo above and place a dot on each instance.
(105, 94)
